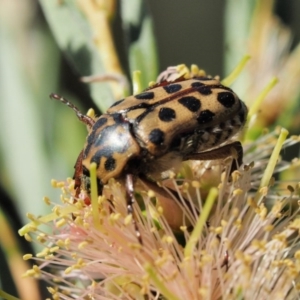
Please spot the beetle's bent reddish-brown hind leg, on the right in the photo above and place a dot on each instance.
(234, 149)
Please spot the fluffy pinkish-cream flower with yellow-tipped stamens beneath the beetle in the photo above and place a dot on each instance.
(216, 236)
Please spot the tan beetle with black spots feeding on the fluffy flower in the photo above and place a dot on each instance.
(148, 133)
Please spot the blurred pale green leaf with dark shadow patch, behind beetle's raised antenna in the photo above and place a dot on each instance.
(74, 36)
